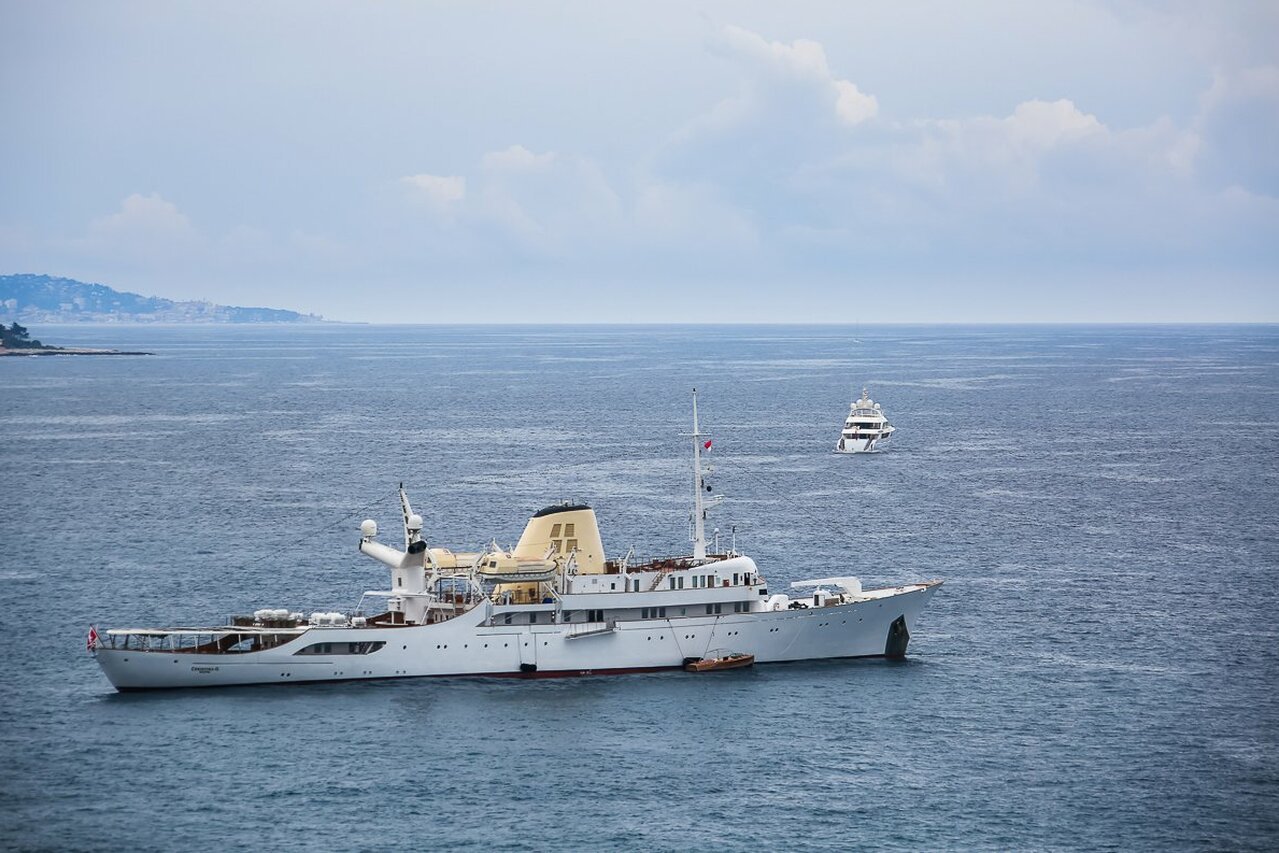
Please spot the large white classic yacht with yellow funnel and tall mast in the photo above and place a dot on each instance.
(552, 606)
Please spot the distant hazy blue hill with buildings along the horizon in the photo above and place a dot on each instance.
(44, 299)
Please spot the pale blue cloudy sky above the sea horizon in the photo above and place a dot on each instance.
(661, 162)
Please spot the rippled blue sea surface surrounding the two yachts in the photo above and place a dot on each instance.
(1099, 672)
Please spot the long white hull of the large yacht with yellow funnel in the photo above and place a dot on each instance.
(469, 646)
